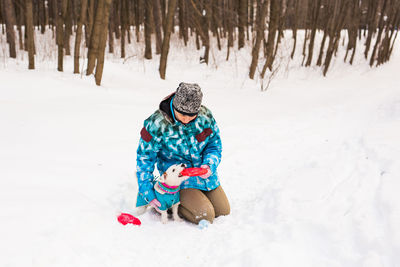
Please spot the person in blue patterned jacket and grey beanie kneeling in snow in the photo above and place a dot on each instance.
(183, 131)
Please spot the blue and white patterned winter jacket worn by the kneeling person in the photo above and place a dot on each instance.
(165, 141)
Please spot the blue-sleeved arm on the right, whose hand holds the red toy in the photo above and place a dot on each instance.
(213, 149)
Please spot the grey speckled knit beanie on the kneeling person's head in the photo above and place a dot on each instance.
(187, 100)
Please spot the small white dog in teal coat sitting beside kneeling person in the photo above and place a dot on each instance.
(167, 192)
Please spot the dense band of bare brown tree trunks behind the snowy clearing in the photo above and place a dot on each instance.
(261, 24)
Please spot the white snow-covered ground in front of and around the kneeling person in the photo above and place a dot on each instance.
(311, 166)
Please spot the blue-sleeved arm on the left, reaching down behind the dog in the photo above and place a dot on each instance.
(145, 163)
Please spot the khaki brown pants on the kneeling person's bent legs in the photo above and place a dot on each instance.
(197, 205)
